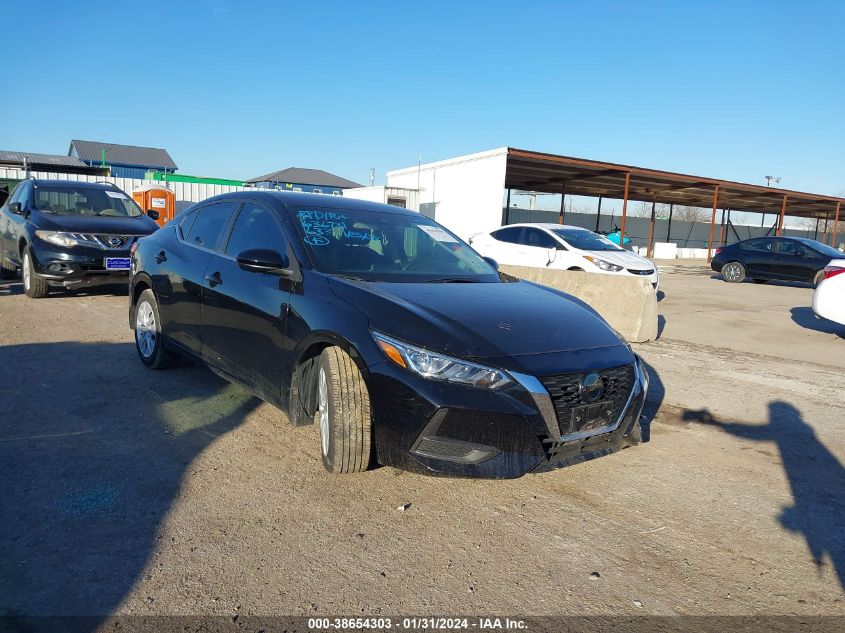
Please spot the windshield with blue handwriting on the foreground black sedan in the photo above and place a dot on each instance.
(387, 247)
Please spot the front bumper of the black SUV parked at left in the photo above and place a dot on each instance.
(78, 266)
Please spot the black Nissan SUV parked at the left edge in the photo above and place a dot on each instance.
(69, 234)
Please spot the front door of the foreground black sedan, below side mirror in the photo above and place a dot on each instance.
(244, 312)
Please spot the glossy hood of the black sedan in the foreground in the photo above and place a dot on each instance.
(479, 320)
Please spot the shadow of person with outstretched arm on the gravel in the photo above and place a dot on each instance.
(815, 476)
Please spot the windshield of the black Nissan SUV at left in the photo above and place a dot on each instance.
(82, 200)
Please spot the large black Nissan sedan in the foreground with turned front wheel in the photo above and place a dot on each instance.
(398, 340)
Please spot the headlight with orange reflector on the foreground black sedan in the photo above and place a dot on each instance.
(436, 366)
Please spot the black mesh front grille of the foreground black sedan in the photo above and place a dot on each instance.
(564, 390)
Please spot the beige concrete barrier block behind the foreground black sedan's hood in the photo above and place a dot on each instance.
(628, 304)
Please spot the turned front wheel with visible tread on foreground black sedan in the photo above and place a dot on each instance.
(343, 413)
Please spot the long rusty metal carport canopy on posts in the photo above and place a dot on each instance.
(551, 173)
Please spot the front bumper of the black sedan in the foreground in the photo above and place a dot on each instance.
(441, 428)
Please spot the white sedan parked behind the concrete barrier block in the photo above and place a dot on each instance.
(561, 247)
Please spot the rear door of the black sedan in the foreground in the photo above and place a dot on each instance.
(200, 233)
